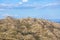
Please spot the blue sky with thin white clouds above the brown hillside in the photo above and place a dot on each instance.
(47, 9)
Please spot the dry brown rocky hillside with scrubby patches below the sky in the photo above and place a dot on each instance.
(28, 29)
